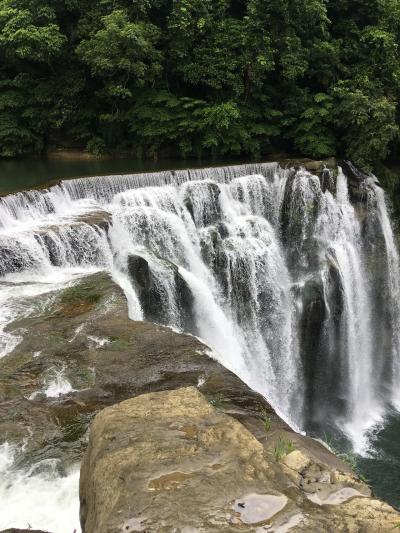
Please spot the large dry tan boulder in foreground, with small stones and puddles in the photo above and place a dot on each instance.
(170, 461)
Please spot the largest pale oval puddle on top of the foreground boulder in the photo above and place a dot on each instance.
(256, 508)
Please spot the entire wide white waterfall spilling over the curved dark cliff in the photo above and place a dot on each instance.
(292, 278)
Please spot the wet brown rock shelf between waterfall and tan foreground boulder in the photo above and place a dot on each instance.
(83, 337)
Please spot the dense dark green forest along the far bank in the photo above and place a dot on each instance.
(201, 77)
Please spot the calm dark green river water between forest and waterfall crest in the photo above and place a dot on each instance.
(29, 173)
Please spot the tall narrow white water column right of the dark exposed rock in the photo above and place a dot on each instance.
(342, 237)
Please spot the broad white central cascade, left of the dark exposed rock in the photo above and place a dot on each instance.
(177, 226)
